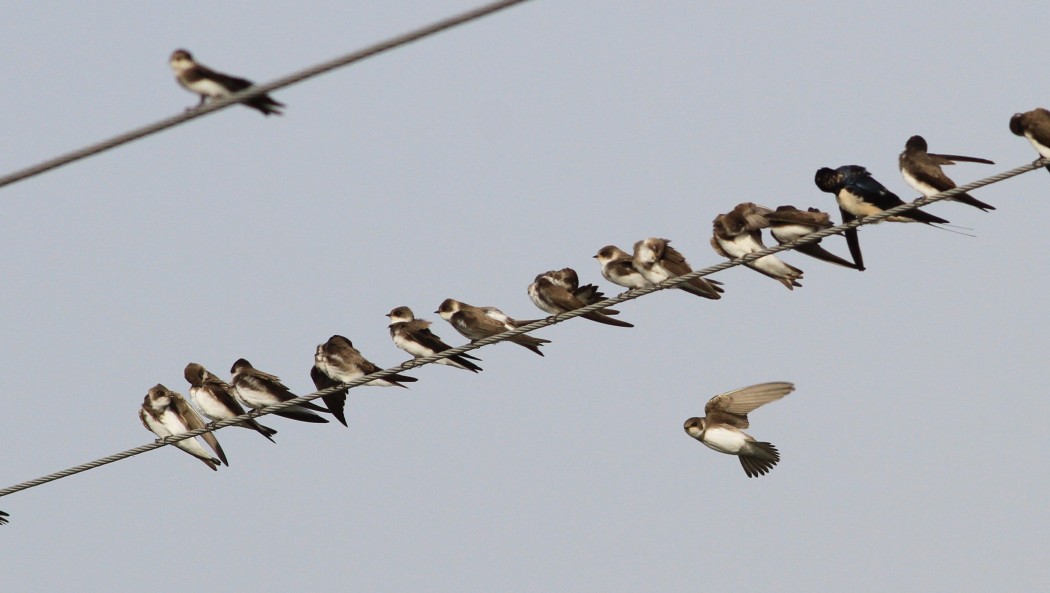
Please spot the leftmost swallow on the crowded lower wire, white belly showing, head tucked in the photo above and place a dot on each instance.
(165, 413)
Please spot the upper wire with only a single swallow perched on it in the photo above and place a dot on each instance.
(303, 75)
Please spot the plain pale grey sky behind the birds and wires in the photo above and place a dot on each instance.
(913, 451)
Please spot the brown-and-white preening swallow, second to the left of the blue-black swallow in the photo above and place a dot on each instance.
(740, 234)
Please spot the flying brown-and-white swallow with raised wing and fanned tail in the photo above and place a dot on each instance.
(727, 414)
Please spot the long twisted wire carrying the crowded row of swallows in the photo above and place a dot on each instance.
(627, 295)
